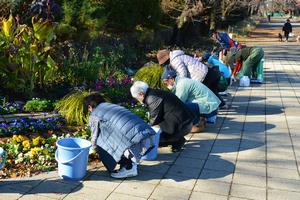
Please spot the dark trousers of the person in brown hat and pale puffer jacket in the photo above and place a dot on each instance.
(211, 80)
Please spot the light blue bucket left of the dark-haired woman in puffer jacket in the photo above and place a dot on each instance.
(72, 157)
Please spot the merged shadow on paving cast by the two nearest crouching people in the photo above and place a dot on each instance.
(188, 166)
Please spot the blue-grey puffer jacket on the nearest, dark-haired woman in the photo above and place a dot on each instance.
(115, 129)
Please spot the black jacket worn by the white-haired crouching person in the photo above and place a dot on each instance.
(167, 111)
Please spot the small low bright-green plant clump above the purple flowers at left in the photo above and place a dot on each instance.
(38, 105)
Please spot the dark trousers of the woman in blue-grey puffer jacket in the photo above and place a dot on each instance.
(110, 163)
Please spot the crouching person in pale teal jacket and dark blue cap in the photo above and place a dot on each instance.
(199, 98)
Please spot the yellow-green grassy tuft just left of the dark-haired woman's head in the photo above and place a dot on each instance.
(71, 107)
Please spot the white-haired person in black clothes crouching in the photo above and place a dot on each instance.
(167, 111)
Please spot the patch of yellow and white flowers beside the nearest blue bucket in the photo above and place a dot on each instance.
(27, 155)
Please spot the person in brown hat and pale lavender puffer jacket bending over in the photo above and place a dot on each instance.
(190, 67)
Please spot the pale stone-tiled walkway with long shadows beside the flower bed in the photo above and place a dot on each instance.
(252, 153)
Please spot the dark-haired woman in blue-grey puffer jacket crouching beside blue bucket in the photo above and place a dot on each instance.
(118, 135)
